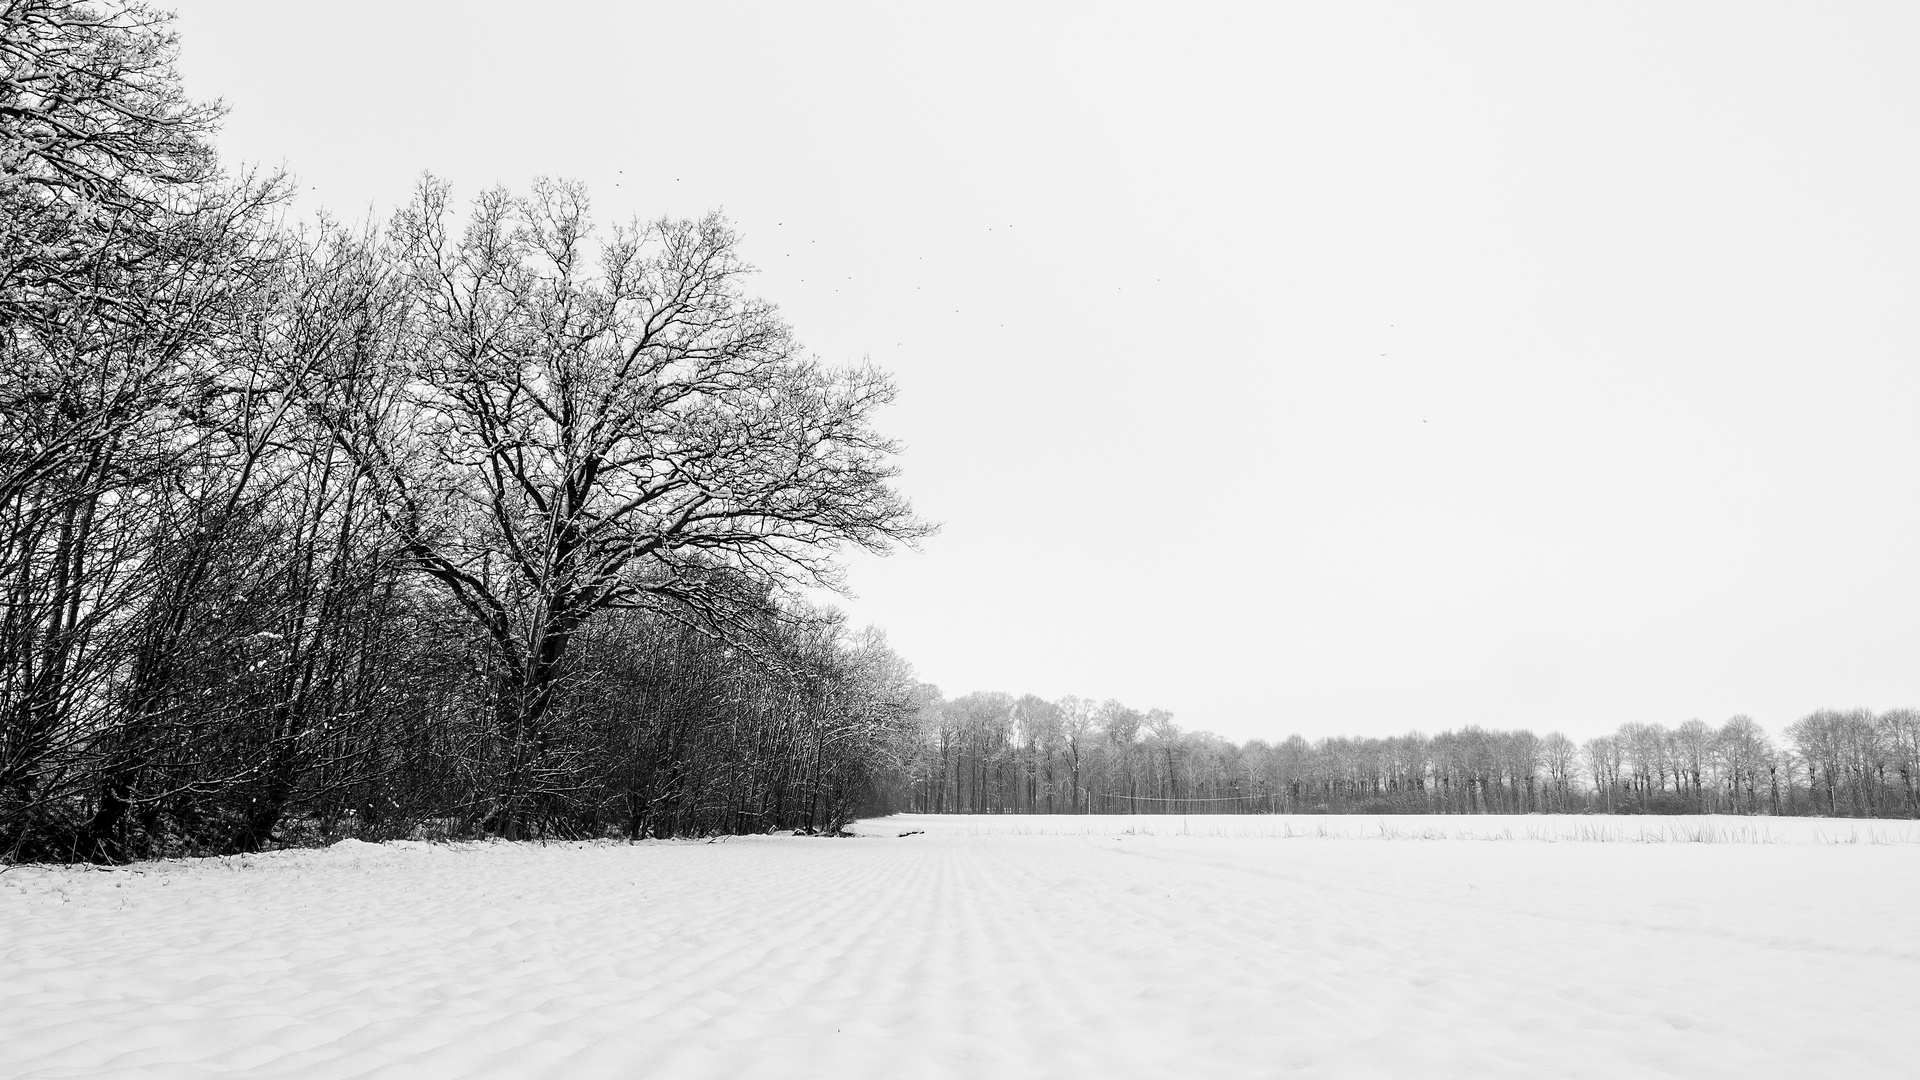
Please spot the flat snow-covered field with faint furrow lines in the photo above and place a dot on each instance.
(1009, 946)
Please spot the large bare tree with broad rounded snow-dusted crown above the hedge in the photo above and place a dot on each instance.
(571, 422)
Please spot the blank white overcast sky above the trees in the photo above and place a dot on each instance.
(1328, 370)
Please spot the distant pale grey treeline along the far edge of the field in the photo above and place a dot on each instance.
(1003, 754)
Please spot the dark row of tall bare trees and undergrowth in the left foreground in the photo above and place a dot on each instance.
(479, 522)
